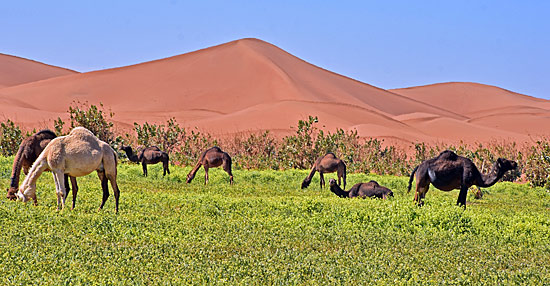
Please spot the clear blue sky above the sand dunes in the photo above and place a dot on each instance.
(389, 44)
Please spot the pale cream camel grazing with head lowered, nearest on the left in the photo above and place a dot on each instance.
(76, 154)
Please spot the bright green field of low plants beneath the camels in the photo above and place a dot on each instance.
(265, 230)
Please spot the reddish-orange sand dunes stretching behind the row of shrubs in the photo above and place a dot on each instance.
(249, 85)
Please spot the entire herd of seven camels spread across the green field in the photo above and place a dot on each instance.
(80, 152)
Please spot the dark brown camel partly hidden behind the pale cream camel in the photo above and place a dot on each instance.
(29, 150)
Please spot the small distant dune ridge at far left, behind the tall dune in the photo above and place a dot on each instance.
(16, 70)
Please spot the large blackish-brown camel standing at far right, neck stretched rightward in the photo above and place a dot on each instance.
(448, 171)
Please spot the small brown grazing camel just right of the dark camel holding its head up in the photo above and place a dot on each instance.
(213, 157)
